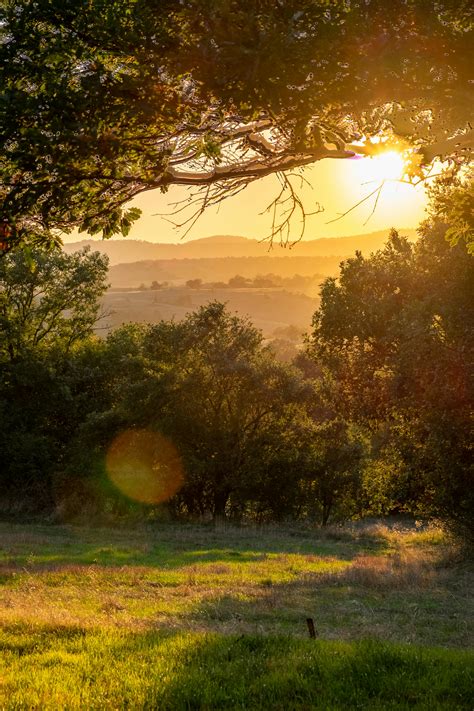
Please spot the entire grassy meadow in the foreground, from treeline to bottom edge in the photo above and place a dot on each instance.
(186, 617)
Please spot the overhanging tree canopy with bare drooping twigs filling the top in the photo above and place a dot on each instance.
(106, 101)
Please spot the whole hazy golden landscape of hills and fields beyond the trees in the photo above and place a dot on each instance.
(135, 266)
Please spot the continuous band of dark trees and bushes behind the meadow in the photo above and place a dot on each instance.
(198, 419)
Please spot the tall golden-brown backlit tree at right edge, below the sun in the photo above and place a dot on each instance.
(395, 331)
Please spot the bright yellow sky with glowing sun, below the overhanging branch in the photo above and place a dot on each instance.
(336, 184)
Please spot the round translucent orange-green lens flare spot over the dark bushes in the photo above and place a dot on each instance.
(144, 466)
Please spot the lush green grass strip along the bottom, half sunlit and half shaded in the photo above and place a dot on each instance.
(92, 669)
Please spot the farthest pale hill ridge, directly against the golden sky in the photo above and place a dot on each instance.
(221, 246)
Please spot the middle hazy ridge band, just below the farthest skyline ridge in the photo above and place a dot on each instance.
(178, 271)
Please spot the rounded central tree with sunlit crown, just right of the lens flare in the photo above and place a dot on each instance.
(222, 397)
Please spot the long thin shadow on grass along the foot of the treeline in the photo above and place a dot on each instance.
(169, 546)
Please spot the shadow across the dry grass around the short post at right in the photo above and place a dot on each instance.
(438, 612)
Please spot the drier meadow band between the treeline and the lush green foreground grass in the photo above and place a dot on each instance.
(359, 581)
